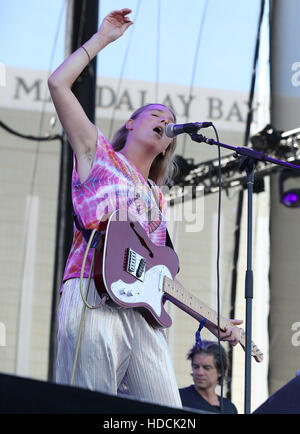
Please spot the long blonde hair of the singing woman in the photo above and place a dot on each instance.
(163, 166)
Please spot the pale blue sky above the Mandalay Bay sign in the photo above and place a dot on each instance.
(204, 43)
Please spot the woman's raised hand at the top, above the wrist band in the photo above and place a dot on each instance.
(115, 24)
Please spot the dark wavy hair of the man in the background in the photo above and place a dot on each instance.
(211, 348)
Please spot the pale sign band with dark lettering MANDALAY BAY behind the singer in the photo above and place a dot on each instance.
(27, 89)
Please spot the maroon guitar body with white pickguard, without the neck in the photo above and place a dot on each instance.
(130, 268)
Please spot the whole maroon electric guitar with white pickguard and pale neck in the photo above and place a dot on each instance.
(136, 273)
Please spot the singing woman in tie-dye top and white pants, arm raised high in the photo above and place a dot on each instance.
(118, 348)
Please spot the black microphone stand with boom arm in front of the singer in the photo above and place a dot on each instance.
(247, 163)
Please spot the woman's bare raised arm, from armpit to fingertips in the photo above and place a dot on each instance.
(81, 132)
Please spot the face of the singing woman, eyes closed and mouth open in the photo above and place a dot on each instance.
(150, 125)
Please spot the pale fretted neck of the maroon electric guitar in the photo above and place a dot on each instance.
(191, 304)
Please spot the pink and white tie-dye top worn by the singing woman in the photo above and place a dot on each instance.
(113, 183)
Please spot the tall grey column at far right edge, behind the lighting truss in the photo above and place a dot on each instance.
(284, 222)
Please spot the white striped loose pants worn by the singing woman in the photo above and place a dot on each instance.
(118, 350)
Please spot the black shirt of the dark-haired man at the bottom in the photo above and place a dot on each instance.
(191, 398)
